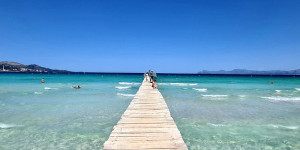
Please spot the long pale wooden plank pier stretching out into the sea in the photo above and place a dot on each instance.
(146, 124)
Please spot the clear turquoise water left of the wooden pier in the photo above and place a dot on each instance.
(55, 116)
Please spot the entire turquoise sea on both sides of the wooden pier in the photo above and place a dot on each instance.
(211, 112)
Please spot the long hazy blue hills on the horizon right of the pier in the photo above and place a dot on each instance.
(252, 72)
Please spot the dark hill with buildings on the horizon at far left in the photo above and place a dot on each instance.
(9, 66)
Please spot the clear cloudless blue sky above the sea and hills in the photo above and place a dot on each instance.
(165, 35)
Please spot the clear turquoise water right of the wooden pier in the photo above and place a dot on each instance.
(235, 112)
